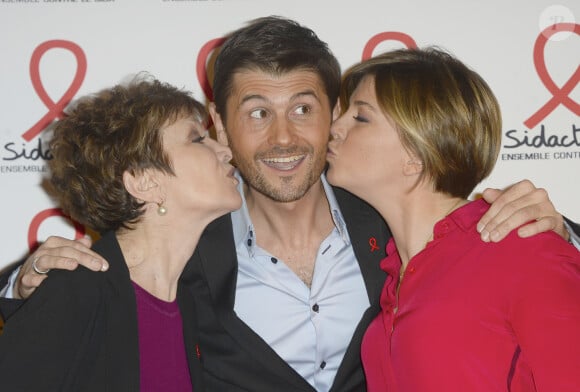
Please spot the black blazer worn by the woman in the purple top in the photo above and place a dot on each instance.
(78, 332)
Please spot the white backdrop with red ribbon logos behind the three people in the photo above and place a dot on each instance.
(53, 51)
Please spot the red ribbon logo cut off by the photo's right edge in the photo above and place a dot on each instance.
(559, 95)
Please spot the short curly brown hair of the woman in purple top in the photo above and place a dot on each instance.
(107, 133)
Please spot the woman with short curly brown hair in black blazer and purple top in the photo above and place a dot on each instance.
(134, 163)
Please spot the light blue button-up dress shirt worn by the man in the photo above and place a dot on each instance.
(309, 328)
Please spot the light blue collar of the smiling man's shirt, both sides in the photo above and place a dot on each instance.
(244, 229)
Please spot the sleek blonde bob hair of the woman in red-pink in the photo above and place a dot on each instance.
(445, 113)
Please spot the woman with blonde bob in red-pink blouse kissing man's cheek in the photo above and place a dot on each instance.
(419, 132)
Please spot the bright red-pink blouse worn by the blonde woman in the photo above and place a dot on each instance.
(475, 316)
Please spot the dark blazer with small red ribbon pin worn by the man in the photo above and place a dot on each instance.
(237, 359)
